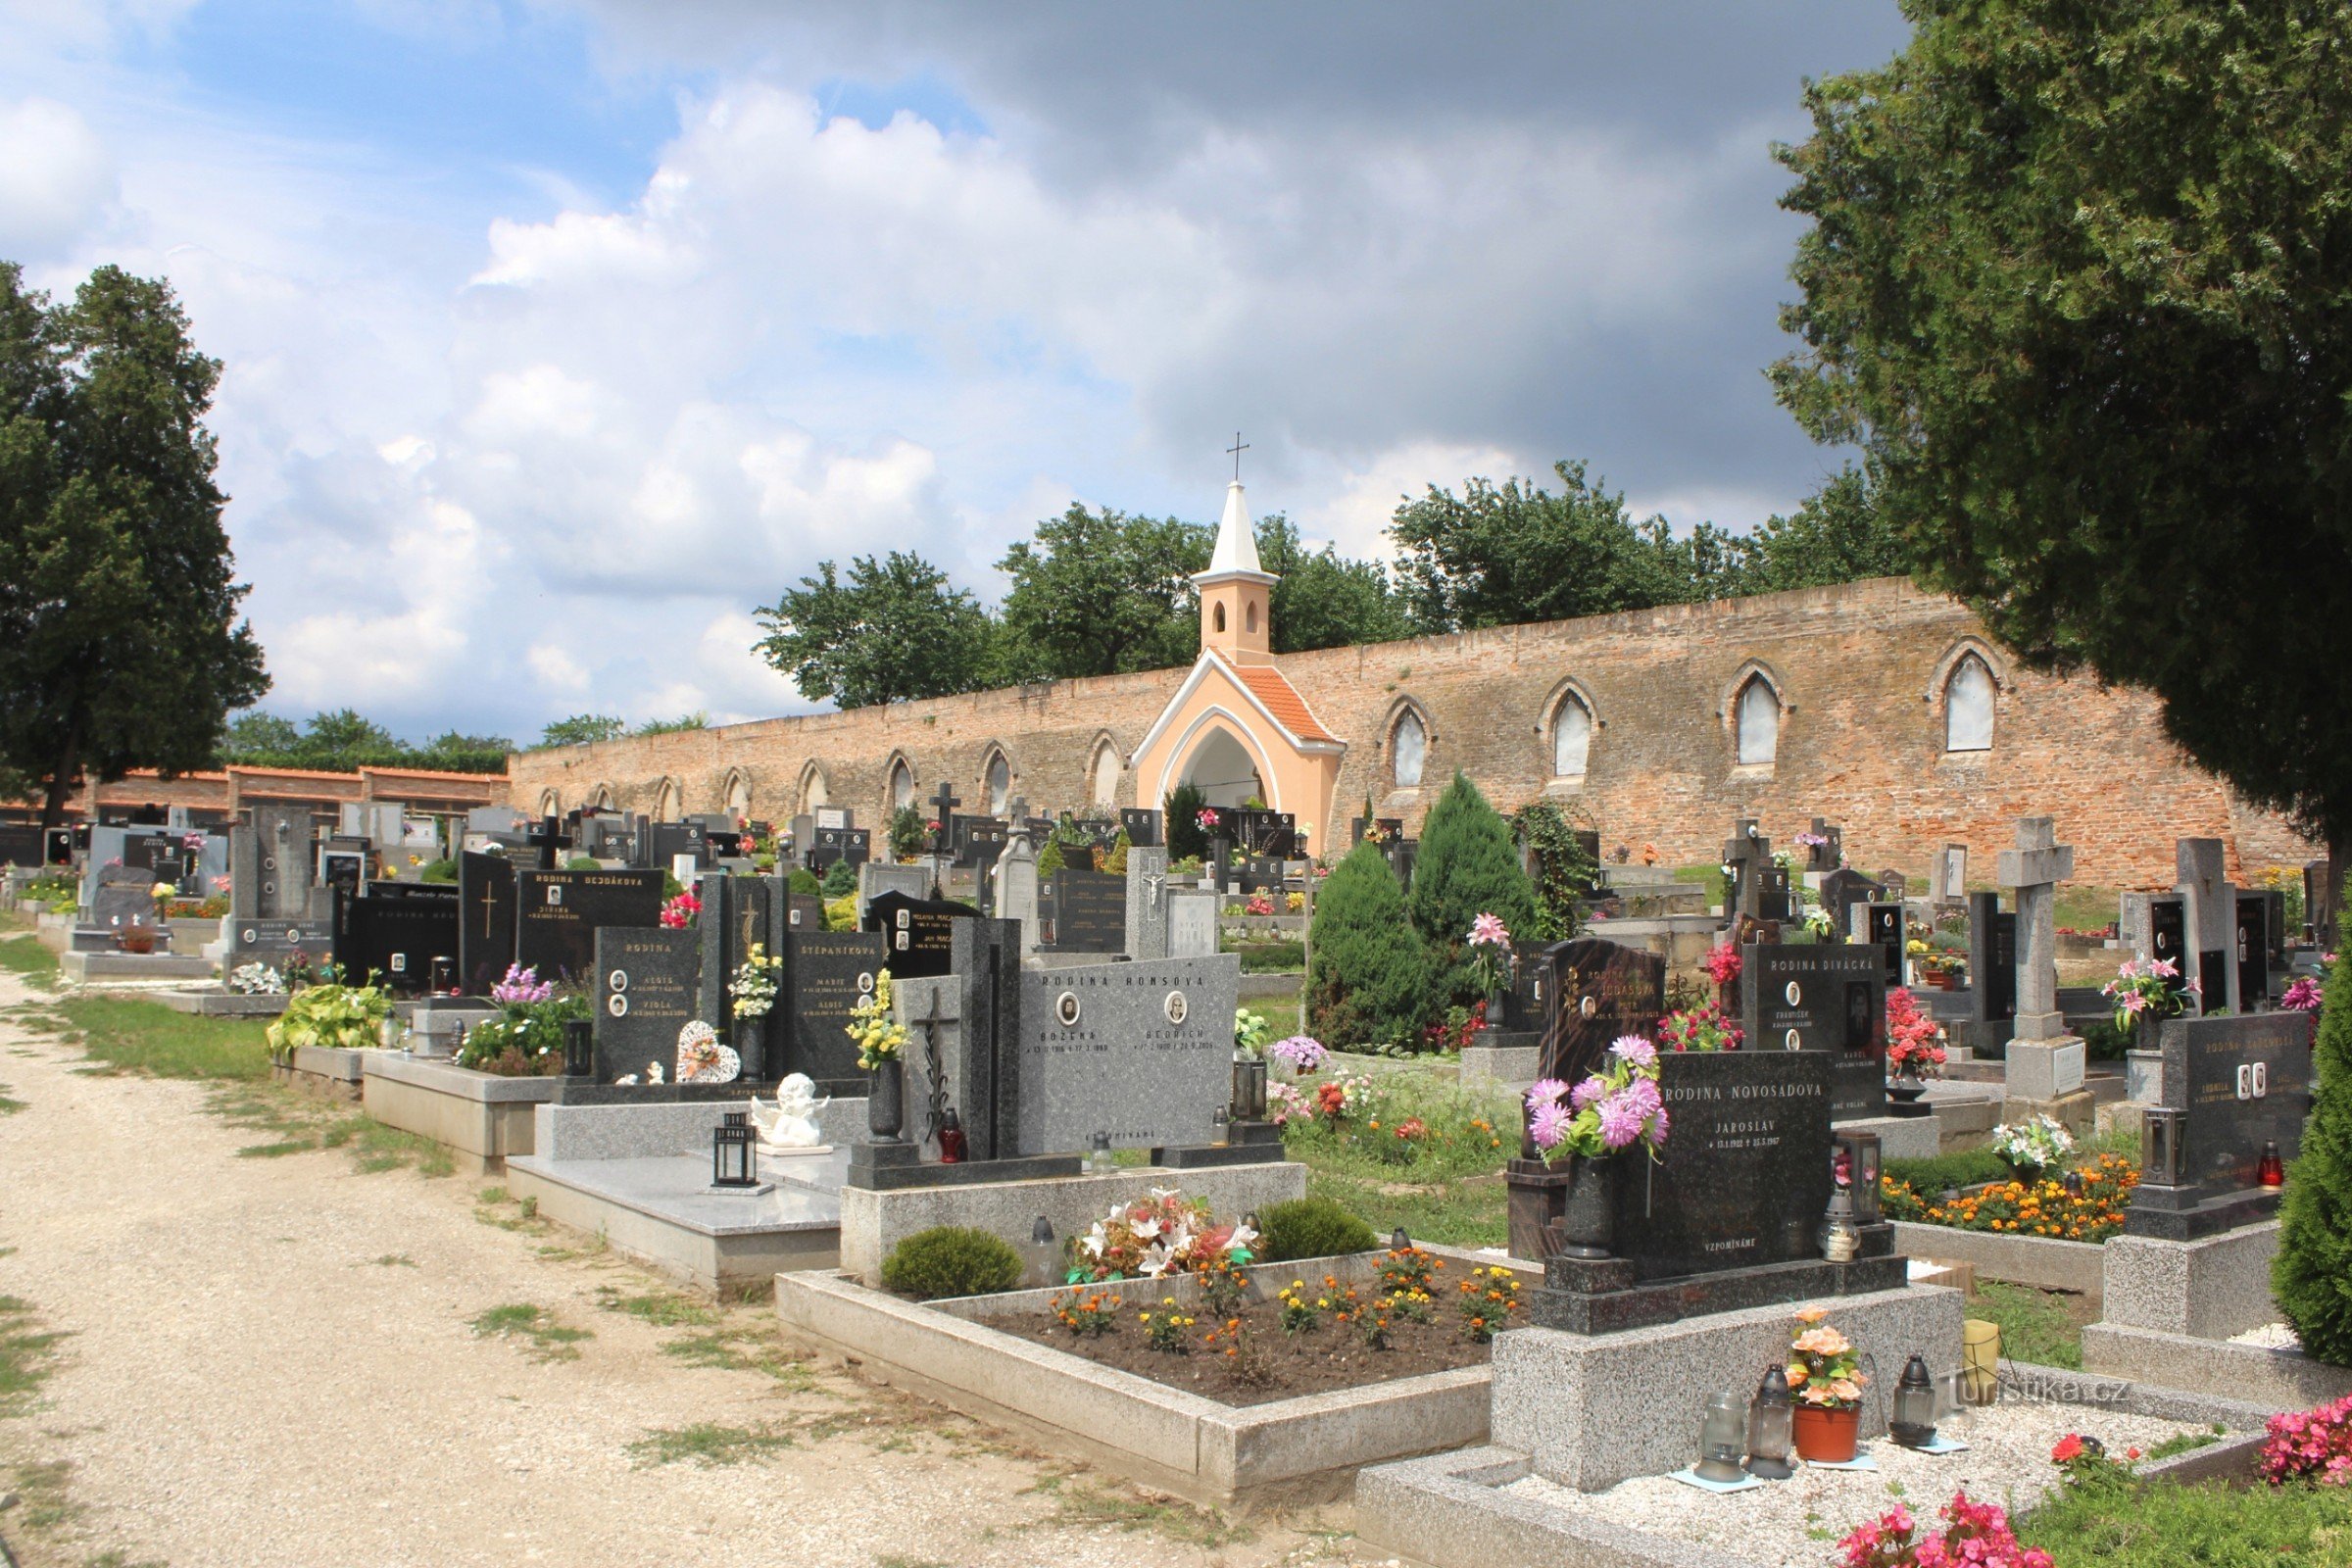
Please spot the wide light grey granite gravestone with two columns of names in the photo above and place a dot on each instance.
(1140, 1052)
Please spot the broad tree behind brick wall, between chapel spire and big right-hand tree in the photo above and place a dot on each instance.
(1518, 551)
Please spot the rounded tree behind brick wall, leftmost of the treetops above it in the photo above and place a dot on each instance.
(893, 631)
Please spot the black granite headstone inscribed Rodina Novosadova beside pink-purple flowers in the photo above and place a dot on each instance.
(1746, 1170)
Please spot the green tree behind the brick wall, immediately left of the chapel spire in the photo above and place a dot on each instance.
(1104, 594)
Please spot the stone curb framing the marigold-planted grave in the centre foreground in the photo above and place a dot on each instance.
(1281, 1454)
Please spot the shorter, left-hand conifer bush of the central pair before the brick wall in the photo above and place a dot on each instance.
(1370, 972)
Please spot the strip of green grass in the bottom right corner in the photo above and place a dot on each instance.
(2167, 1525)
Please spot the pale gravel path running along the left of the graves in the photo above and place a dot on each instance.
(272, 1362)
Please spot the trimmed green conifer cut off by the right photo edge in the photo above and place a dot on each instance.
(2313, 1273)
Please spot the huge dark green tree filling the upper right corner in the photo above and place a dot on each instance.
(2078, 286)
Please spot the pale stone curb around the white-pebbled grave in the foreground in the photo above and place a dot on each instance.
(1450, 1510)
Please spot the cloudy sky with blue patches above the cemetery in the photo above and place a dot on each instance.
(561, 335)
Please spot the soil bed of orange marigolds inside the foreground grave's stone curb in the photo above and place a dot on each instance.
(1248, 1343)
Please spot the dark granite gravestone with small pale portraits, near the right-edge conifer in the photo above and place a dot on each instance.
(2231, 1087)
